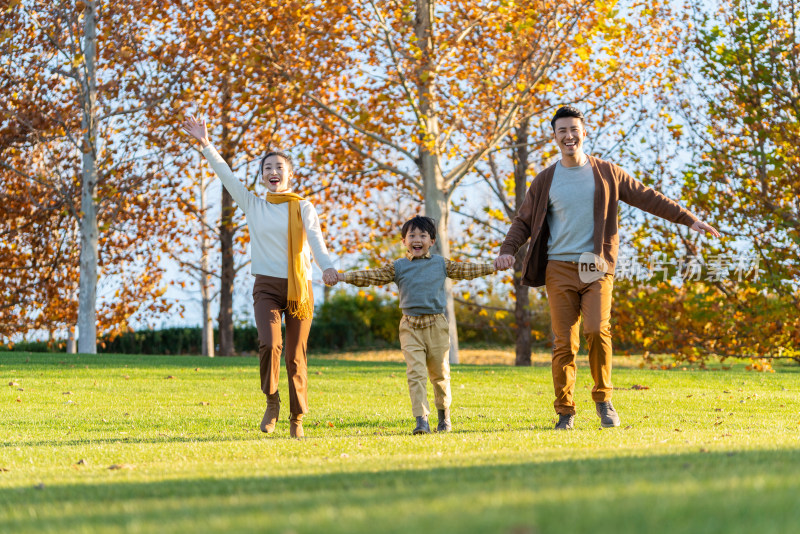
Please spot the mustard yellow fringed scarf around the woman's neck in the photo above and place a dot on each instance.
(300, 304)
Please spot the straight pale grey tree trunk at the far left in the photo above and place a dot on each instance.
(87, 299)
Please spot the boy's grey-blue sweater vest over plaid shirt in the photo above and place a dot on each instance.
(421, 285)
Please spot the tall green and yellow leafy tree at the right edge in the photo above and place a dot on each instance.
(740, 113)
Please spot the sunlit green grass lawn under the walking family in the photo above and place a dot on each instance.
(699, 451)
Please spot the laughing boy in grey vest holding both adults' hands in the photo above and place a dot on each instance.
(424, 331)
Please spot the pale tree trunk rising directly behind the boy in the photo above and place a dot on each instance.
(437, 201)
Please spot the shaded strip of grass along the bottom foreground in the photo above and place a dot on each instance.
(752, 491)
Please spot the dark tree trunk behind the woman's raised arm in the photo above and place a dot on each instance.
(226, 234)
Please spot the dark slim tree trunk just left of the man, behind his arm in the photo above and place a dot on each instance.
(522, 313)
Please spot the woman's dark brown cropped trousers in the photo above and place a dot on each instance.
(269, 302)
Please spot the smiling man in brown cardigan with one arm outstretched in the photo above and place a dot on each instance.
(570, 216)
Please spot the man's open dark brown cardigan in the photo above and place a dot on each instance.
(612, 184)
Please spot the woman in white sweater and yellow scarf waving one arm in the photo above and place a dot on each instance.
(282, 228)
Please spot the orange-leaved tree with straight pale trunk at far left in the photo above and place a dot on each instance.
(79, 76)
